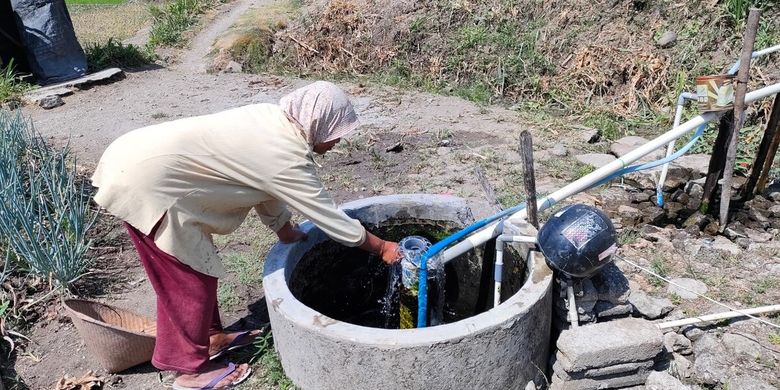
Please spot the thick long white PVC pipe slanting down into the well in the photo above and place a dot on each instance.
(494, 229)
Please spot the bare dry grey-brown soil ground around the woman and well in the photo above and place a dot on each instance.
(444, 139)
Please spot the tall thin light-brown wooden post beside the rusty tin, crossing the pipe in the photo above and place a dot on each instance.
(743, 76)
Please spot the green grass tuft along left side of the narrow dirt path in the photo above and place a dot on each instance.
(170, 21)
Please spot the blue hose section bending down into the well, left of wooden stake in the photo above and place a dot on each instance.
(422, 282)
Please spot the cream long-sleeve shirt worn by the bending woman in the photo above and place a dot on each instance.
(204, 174)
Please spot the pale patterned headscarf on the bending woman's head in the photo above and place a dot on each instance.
(322, 109)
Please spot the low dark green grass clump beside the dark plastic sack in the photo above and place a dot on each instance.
(116, 54)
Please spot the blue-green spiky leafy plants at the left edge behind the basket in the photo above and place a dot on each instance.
(45, 206)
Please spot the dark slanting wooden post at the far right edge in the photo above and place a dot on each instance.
(765, 155)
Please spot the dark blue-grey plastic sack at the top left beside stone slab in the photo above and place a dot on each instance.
(46, 31)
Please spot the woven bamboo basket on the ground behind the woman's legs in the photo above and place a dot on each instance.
(119, 338)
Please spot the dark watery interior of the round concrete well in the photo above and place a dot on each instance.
(354, 286)
